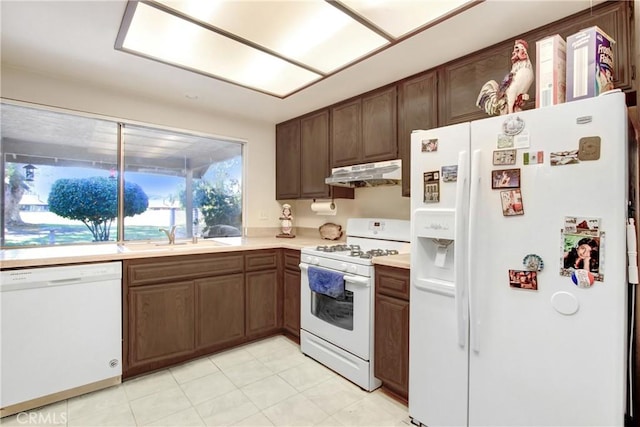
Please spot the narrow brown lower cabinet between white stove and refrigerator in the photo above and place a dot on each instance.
(391, 351)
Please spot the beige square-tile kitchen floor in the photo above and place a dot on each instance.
(266, 383)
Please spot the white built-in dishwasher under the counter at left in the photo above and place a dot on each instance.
(61, 333)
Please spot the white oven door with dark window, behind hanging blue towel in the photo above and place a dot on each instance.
(345, 323)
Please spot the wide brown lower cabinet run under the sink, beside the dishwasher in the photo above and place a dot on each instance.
(179, 308)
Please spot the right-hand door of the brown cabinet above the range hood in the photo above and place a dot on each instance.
(379, 126)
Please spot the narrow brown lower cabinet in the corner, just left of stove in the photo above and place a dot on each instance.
(291, 287)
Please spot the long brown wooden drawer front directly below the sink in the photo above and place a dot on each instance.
(169, 269)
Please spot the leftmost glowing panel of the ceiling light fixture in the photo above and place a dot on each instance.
(162, 36)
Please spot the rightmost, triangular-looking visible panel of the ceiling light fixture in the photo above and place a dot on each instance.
(401, 17)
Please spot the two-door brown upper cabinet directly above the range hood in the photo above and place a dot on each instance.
(364, 129)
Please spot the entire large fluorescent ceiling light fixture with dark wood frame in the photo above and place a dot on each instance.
(277, 47)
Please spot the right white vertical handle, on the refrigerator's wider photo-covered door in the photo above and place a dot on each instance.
(474, 316)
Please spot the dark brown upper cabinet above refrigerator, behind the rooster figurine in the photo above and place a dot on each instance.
(460, 81)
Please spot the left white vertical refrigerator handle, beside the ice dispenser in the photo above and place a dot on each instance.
(460, 279)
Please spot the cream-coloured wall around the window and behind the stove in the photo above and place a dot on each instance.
(261, 208)
